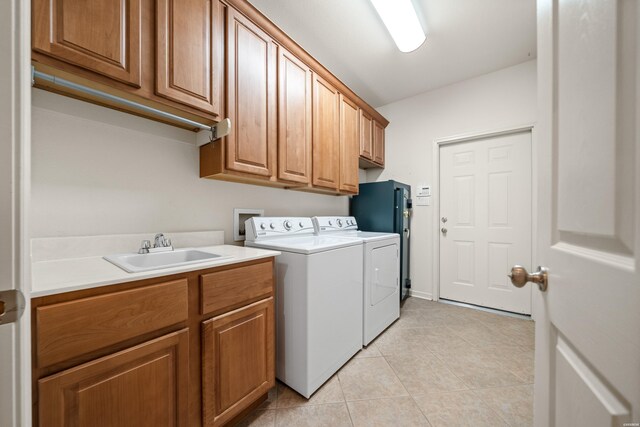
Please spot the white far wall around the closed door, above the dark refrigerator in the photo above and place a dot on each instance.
(502, 99)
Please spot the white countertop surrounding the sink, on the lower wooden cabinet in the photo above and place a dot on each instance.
(65, 275)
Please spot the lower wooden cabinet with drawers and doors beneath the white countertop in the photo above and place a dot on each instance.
(189, 349)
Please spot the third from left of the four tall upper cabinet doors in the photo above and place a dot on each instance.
(326, 134)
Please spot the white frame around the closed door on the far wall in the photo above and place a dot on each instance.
(470, 137)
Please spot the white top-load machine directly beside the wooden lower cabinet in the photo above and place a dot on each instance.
(318, 299)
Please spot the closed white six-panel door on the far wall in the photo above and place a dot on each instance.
(485, 209)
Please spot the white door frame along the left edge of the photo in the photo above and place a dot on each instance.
(18, 38)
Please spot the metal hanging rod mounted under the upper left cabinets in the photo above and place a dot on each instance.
(217, 131)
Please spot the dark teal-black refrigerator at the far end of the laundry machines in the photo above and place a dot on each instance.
(386, 207)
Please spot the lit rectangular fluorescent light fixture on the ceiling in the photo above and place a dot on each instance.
(401, 20)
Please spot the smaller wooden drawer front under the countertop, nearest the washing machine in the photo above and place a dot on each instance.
(230, 288)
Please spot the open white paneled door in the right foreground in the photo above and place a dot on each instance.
(588, 322)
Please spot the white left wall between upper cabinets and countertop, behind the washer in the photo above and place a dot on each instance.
(100, 171)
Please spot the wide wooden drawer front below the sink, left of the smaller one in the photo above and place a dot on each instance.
(73, 328)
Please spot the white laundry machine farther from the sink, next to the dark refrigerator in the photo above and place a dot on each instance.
(380, 270)
